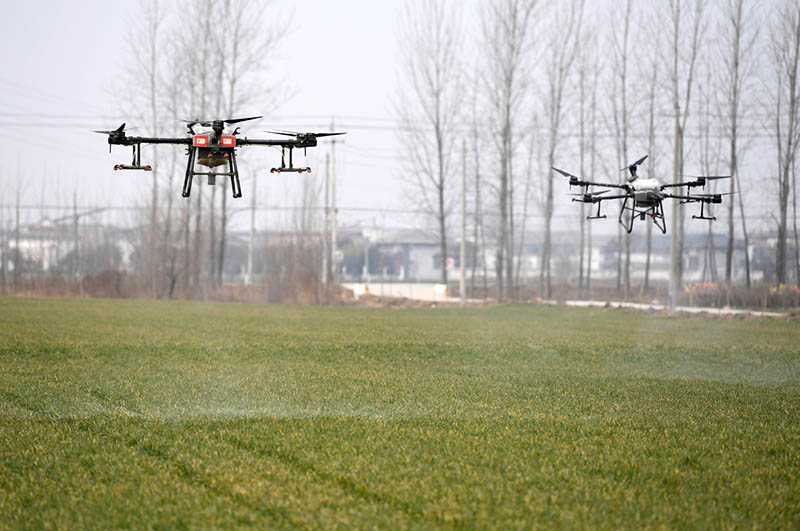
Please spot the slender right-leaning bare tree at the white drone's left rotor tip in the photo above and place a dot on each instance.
(563, 48)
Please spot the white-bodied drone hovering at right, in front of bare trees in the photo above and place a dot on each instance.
(643, 197)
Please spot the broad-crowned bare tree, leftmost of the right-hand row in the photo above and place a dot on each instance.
(428, 105)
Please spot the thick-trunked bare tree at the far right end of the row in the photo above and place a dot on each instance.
(785, 59)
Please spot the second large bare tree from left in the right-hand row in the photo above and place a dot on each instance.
(506, 38)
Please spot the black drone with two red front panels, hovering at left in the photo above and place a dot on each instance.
(213, 143)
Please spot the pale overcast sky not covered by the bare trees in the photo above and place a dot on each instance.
(61, 59)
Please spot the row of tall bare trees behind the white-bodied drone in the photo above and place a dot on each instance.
(590, 87)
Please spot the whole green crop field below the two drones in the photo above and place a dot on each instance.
(158, 414)
